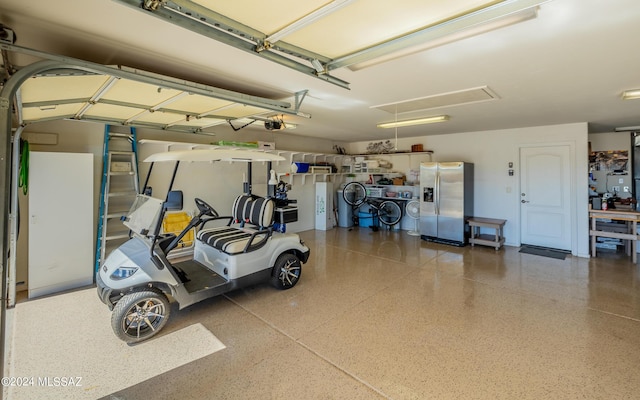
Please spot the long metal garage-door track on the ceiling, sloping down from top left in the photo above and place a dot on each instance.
(201, 20)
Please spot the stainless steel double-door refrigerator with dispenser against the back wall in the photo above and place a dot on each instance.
(446, 201)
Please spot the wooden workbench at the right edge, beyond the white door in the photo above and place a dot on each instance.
(631, 219)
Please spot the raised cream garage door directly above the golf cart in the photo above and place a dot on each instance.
(107, 98)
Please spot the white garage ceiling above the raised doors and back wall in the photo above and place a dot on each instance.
(570, 64)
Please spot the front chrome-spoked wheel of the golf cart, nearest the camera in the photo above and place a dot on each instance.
(140, 315)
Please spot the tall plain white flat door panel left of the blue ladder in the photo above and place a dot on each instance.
(61, 235)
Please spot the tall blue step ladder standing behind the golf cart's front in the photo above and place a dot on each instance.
(120, 185)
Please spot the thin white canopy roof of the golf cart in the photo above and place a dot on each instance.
(214, 155)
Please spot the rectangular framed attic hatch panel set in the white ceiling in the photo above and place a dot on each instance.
(468, 96)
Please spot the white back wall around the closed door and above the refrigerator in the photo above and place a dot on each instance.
(496, 193)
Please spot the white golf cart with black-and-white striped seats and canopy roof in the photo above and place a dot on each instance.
(136, 280)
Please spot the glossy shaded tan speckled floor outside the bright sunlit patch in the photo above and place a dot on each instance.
(387, 315)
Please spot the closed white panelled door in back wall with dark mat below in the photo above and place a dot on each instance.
(545, 198)
